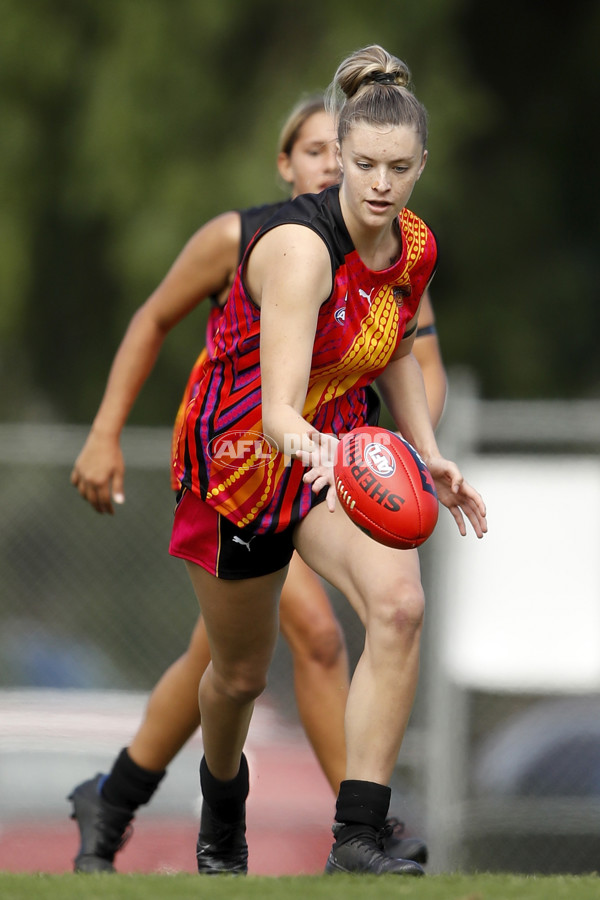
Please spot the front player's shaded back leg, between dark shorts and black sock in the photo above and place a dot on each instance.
(242, 624)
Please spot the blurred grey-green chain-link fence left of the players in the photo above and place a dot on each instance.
(95, 601)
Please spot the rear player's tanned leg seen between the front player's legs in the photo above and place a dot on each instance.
(321, 678)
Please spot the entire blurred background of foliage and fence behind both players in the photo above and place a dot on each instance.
(125, 126)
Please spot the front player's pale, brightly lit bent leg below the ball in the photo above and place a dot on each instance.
(386, 591)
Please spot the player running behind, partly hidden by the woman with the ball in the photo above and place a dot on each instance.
(104, 806)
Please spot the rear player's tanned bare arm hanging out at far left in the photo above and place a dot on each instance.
(204, 267)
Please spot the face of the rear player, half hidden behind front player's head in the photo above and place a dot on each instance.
(312, 164)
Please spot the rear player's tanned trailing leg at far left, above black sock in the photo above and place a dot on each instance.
(172, 714)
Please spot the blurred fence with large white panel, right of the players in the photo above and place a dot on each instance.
(512, 741)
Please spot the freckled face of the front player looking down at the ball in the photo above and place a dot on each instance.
(380, 168)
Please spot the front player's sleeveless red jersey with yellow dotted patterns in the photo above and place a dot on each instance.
(223, 454)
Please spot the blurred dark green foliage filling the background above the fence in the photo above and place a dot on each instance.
(127, 124)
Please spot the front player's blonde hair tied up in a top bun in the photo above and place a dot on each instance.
(373, 86)
